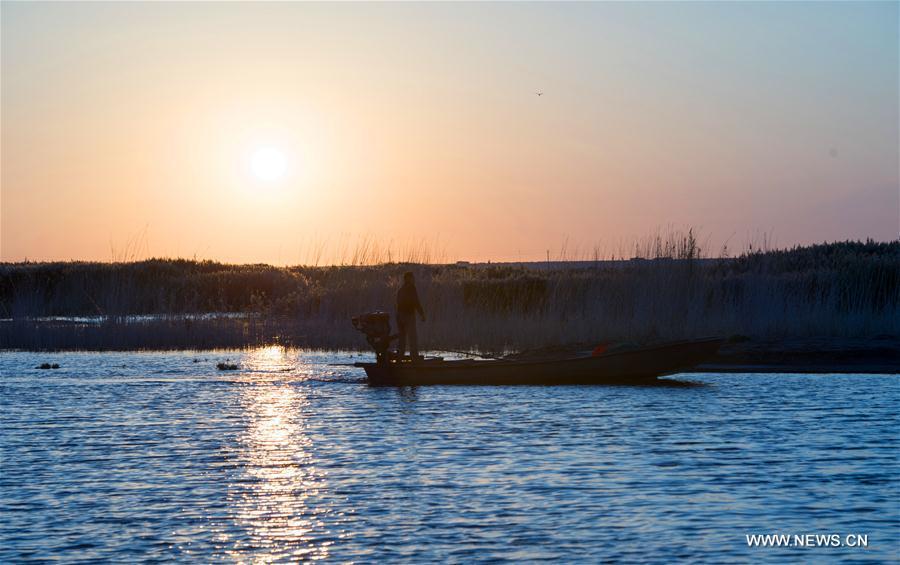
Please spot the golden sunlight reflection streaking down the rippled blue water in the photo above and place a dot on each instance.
(273, 499)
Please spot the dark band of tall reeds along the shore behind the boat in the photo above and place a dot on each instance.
(835, 304)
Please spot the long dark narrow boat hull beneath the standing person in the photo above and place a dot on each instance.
(633, 366)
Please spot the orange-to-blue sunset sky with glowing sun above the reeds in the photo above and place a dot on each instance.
(312, 132)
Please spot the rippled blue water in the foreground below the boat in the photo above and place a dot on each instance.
(132, 456)
